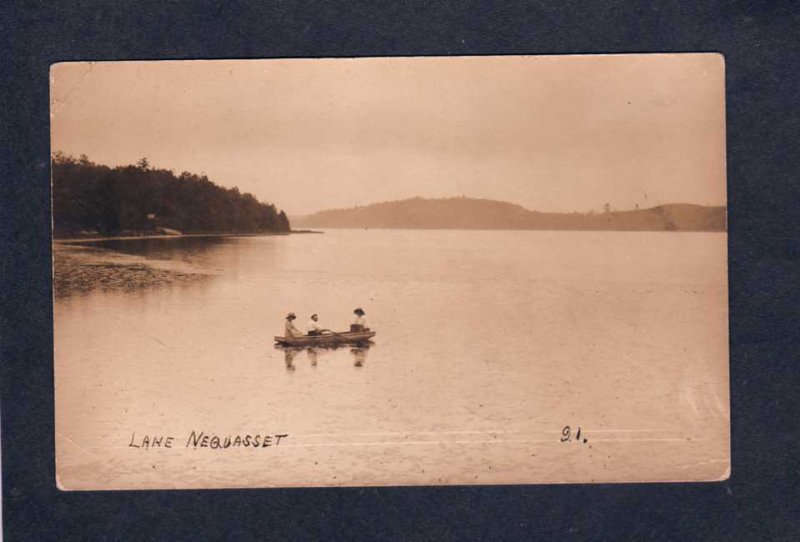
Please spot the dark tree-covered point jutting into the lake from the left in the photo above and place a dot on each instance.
(91, 198)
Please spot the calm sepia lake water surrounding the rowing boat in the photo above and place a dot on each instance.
(488, 344)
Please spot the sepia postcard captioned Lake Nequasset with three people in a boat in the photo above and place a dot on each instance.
(390, 271)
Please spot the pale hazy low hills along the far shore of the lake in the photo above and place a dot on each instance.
(483, 214)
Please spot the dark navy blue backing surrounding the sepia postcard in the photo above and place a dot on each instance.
(760, 42)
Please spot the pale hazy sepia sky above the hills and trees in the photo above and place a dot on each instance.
(555, 133)
